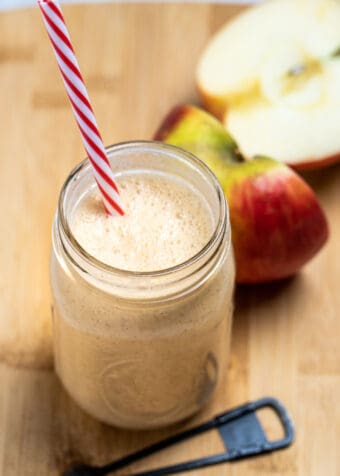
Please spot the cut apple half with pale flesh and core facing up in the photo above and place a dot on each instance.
(272, 75)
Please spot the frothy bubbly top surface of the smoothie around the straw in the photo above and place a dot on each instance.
(165, 224)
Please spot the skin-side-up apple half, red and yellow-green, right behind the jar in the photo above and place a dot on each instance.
(276, 220)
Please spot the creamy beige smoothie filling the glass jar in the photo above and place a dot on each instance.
(150, 361)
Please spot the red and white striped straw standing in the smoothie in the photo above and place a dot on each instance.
(83, 112)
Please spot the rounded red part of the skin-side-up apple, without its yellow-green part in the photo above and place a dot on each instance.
(277, 224)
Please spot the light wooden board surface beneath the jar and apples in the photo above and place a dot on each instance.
(138, 62)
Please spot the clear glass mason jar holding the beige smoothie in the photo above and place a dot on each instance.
(142, 349)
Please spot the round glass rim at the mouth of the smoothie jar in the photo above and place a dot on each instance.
(217, 235)
